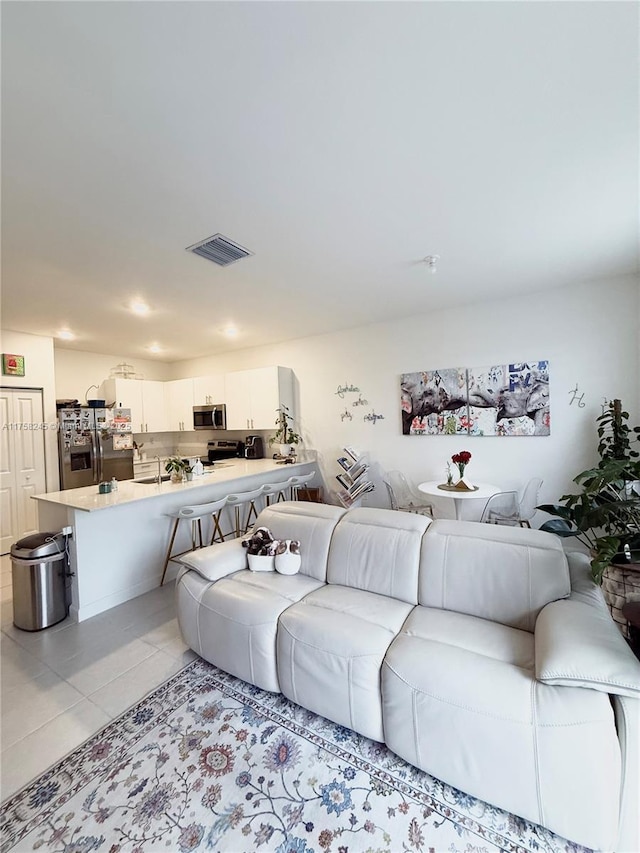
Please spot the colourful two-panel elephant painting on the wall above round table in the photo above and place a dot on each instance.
(498, 400)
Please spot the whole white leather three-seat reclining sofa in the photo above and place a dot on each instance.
(481, 654)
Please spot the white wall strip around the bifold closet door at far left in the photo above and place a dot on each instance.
(39, 373)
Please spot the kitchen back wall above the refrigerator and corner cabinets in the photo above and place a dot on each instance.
(76, 371)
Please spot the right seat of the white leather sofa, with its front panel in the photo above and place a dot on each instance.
(464, 705)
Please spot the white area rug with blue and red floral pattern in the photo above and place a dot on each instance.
(208, 762)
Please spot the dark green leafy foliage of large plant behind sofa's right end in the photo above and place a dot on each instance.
(605, 514)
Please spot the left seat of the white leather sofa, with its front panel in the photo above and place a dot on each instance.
(232, 623)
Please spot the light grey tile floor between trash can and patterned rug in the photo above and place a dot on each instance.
(61, 685)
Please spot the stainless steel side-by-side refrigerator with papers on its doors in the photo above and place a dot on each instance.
(94, 445)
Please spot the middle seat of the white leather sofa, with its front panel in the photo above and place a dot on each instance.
(330, 648)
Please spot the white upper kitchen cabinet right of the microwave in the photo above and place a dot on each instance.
(252, 397)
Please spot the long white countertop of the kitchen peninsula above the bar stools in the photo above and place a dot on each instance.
(88, 499)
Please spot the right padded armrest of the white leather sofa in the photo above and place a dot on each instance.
(579, 645)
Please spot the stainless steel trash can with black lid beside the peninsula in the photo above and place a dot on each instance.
(39, 569)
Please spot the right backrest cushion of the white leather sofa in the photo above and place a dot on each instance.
(500, 573)
